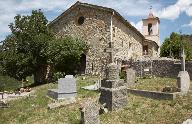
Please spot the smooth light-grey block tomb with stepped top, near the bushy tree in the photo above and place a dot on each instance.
(66, 88)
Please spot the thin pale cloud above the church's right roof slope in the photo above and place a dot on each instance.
(128, 7)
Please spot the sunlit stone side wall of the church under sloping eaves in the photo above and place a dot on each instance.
(128, 43)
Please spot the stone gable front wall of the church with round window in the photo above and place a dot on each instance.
(95, 31)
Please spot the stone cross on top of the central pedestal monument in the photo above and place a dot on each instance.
(111, 50)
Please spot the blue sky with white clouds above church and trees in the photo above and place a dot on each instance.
(175, 15)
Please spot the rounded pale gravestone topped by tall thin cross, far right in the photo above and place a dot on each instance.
(183, 79)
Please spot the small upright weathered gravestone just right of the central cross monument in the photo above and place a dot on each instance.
(130, 77)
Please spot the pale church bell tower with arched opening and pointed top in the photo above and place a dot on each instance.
(151, 27)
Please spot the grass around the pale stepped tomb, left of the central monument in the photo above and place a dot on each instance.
(34, 109)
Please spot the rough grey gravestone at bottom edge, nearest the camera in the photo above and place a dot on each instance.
(90, 113)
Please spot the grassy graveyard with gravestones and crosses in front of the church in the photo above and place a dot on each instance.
(107, 100)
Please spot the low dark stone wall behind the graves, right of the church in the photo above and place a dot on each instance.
(160, 67)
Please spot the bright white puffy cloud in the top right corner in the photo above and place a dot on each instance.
(172, 12)
